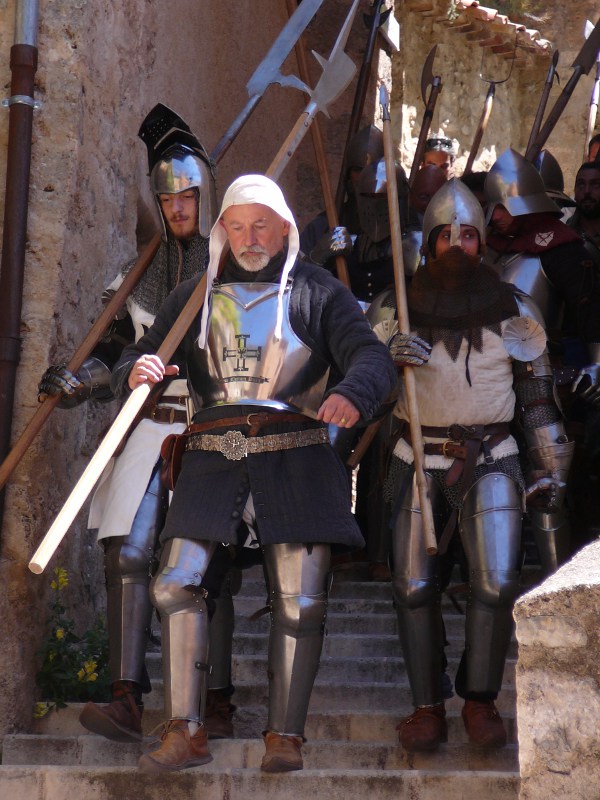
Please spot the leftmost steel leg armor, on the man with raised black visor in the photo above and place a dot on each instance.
(127, 562)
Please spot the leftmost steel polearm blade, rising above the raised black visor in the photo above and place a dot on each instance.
(269, 71)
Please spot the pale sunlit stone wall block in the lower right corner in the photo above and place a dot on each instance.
(558, 682)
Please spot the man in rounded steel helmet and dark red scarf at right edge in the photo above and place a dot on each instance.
(532, 249)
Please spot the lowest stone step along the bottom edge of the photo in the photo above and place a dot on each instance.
(212, 783)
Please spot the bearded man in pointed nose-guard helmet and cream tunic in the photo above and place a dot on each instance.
(480, 357)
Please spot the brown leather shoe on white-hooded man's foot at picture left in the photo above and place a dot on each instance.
(178, 750)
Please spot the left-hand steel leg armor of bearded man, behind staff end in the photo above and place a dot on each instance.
(416, 590)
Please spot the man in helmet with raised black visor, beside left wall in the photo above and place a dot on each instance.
(129, 505)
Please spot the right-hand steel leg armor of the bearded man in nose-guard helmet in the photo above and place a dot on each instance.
(490, 530)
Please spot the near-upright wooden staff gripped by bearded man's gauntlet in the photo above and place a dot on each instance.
(404, 327)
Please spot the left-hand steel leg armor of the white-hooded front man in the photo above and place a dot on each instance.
(178, 595)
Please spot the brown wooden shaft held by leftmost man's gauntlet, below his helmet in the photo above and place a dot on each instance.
(97, 330)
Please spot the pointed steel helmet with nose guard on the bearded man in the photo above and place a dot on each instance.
(454, 205)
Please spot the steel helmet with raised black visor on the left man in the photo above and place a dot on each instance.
(178, 163)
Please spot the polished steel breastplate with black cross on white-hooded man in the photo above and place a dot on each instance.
(244, 364)
